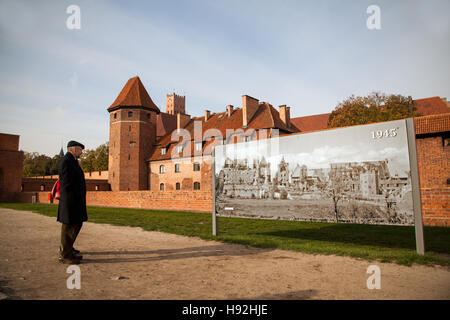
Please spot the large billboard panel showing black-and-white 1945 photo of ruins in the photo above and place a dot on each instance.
(358, 174)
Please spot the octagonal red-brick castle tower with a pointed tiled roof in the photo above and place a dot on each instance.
(132, 133)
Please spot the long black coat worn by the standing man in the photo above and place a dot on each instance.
(72, 201)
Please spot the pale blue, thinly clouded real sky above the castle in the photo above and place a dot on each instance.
(56, 83)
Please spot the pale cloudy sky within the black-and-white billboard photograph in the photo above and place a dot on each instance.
(322, 148)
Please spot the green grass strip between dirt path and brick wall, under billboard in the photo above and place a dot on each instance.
(369, 242)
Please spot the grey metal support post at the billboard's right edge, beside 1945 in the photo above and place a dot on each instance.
(415, 186)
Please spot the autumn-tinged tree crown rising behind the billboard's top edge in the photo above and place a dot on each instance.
(376, 107)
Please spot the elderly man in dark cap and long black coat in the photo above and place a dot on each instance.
(72, 203)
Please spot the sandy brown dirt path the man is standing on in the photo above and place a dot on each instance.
(156, 265)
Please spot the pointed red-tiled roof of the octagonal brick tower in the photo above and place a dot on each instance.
(133, 94)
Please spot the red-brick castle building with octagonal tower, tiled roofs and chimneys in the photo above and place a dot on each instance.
(149, 149)
